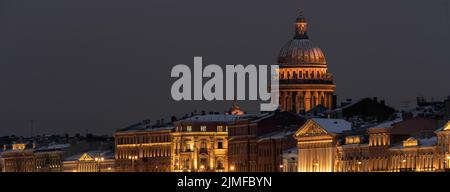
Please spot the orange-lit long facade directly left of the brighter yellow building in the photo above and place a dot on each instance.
(144, 148)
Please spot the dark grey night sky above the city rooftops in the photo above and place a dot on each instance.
(101, 65)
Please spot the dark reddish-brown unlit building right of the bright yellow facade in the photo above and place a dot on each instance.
(256, 144)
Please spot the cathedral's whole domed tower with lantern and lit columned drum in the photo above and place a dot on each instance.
(304, 80)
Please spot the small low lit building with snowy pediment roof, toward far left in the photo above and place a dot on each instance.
(92, 161)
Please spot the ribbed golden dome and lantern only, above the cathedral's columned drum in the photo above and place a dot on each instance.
(301, 50)
